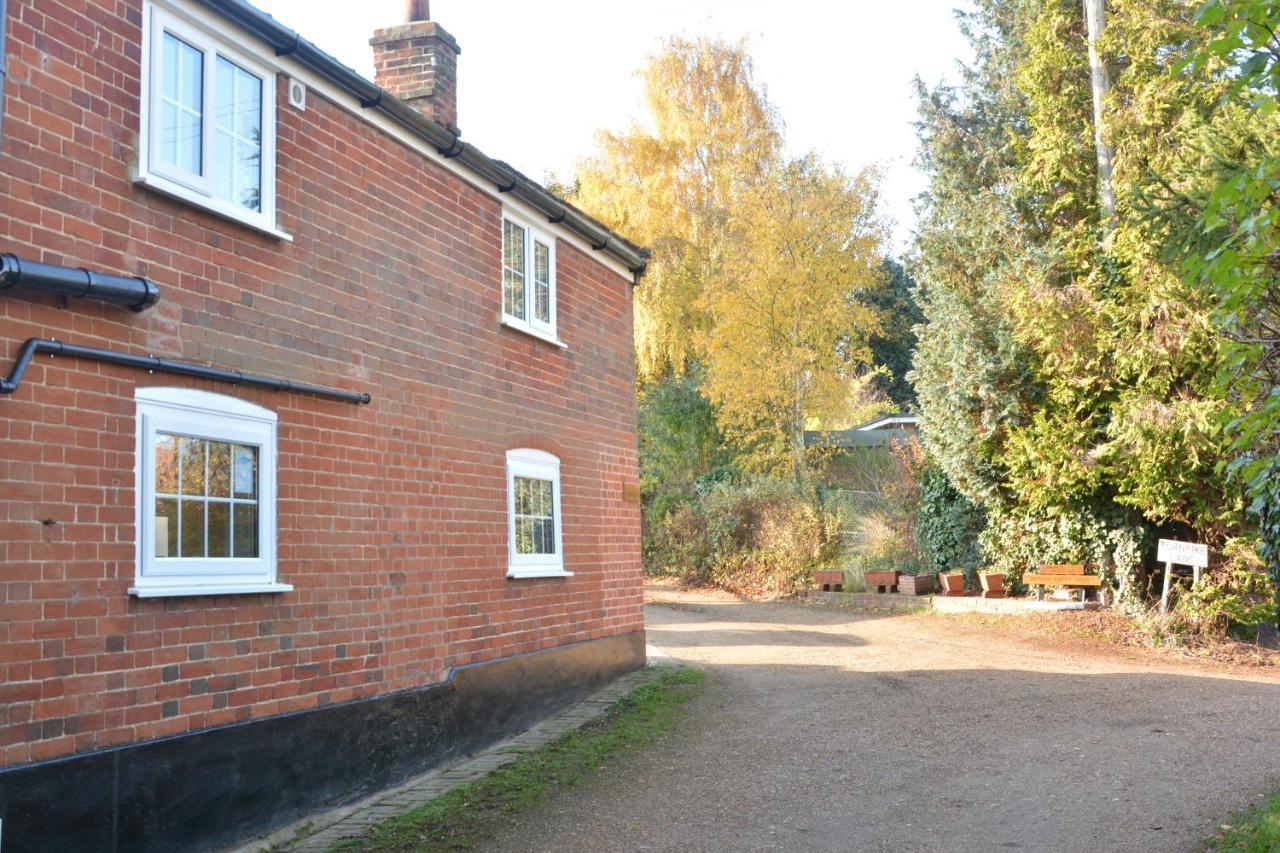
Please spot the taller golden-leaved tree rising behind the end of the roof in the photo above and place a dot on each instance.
(676, 181)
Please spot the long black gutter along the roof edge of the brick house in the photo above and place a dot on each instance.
(286, 42)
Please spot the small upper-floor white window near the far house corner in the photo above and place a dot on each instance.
(528, 279)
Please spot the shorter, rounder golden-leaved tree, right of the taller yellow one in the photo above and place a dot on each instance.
(787, 335)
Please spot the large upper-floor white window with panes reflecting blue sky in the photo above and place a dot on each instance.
(208, 131)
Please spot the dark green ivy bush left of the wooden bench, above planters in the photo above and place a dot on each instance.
(949, 526)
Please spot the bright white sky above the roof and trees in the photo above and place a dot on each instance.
(537, 81)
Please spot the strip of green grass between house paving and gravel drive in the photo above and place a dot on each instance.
(474, 813)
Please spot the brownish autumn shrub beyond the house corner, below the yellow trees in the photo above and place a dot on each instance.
(756, 537)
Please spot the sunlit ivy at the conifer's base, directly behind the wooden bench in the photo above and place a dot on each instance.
(1016, 542)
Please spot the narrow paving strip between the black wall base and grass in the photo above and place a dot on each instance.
(319, 833)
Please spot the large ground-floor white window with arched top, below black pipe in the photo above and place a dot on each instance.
(205, 486)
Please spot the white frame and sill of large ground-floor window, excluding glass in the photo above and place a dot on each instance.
(217, 418)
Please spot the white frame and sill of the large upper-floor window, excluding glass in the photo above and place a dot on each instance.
(198, 190)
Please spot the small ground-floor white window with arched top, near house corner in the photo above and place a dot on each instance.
(534, 517)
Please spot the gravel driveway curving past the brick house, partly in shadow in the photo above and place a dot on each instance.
(822, 729)
